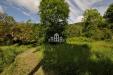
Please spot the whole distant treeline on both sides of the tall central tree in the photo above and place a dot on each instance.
(92, 26)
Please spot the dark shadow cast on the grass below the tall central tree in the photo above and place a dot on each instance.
(72, 59)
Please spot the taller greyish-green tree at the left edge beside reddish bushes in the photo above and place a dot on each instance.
(6, 24)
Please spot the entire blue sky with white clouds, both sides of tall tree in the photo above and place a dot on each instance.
(23, 10)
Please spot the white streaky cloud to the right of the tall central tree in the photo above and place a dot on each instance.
(77, 7)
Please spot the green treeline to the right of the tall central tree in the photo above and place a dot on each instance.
(94, 25)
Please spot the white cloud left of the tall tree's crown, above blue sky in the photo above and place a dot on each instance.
(31, 5)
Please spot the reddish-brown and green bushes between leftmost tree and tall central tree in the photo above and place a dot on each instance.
(25, 33)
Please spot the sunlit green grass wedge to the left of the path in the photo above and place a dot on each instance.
(8, 54)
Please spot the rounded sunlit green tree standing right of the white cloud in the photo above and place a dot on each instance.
(92, 21)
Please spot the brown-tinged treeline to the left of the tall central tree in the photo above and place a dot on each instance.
(21, 33)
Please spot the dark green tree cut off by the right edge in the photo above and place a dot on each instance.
(109, 16)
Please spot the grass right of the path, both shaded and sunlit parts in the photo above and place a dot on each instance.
(80, 56)
